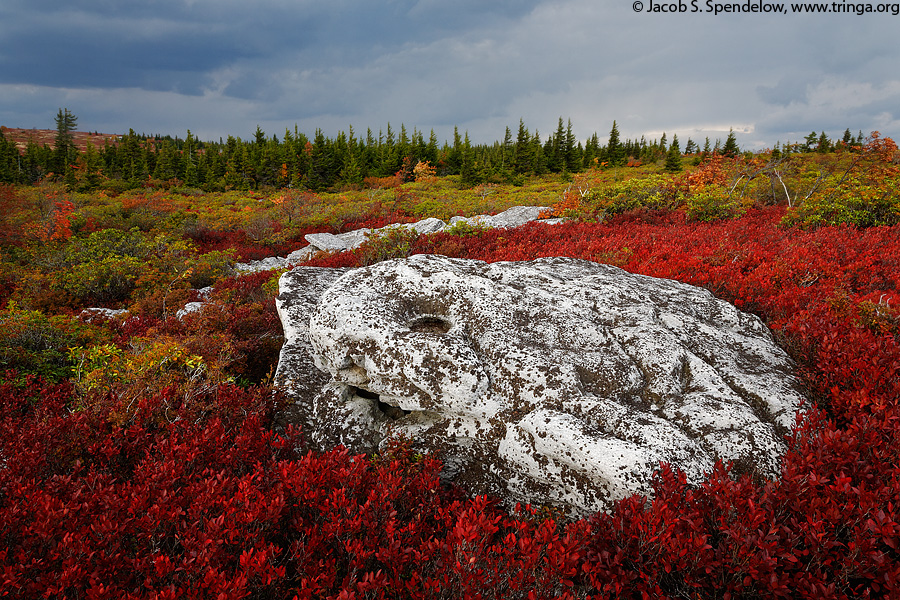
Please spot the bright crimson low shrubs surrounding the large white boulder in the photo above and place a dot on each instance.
(221, 507)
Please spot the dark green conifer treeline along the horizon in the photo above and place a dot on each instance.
(323, 163)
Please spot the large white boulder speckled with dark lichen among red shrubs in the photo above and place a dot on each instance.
(555, 381)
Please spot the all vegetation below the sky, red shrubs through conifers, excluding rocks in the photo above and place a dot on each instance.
(140, 455)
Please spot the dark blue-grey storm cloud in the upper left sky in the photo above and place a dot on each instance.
(175, 45)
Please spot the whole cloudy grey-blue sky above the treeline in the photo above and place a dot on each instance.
(222, 67)
